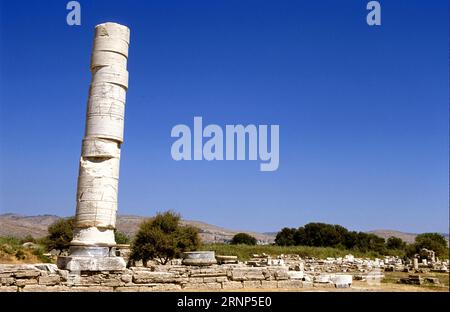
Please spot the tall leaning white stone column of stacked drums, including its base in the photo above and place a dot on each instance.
(93, 244)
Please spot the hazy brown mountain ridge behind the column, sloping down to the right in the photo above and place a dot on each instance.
(36, 226)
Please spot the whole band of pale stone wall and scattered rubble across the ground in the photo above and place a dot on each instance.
(285, 272)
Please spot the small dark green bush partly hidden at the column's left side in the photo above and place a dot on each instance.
(60, 234)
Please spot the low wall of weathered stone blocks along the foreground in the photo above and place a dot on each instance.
(48, 278)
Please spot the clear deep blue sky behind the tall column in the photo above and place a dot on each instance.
(363, 111)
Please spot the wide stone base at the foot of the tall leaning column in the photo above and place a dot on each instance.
(92, 258)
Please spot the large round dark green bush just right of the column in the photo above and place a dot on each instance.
(163, 238)
